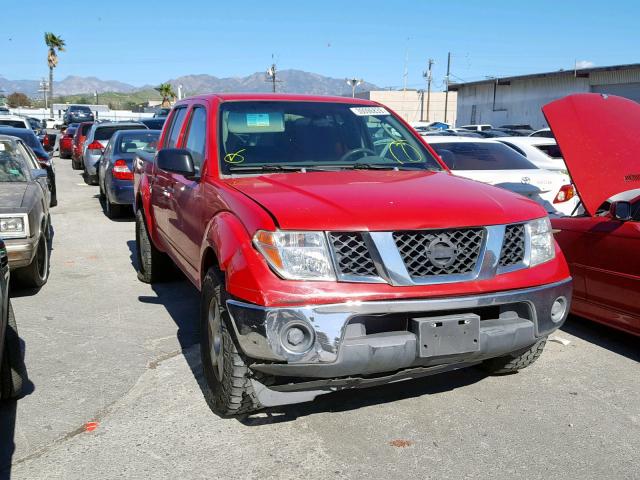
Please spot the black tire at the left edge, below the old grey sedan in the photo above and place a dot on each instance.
(12, 369)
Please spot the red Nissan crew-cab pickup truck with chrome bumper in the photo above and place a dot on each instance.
(334, 250)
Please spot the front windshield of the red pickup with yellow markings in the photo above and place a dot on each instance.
(316, 135)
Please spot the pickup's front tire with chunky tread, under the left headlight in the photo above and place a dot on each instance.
(229, 391)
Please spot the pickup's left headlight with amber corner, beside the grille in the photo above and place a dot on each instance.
(296, 255)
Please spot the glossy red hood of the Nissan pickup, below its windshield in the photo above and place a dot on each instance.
(382, 200)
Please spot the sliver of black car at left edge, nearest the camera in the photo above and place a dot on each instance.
(11, 364)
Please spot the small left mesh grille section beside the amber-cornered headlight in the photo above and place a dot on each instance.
(352, 255)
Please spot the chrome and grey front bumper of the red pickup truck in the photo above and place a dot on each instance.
(364, 338)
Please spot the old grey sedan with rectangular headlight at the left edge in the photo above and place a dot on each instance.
(25, 223)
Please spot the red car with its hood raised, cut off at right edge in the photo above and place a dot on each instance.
(602, 246)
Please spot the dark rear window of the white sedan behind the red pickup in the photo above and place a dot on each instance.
(481, 156)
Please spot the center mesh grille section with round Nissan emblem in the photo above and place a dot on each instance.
(460, 250)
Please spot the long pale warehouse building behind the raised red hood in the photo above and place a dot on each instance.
(518, 100)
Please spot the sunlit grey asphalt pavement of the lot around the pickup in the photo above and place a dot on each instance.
(115, 391)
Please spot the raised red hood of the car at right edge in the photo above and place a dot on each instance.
(599, 136)
